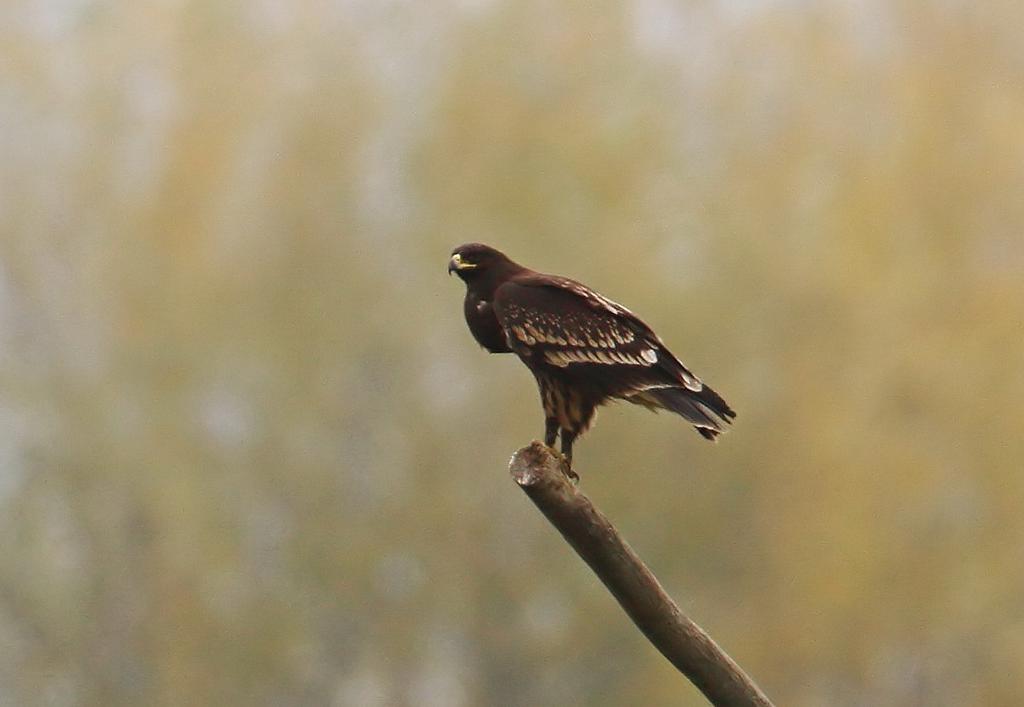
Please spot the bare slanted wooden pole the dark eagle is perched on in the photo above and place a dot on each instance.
(541, 475)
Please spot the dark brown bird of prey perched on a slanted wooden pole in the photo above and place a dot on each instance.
(583, 349)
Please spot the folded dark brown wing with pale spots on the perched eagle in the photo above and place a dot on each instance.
(566, 324)
